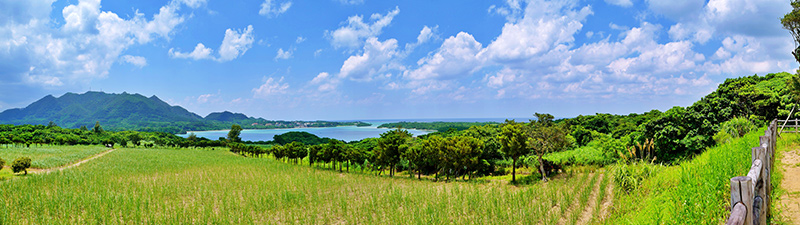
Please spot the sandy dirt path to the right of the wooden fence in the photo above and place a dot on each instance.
(790, 201)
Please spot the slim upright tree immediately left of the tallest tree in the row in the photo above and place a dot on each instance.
(513, 141)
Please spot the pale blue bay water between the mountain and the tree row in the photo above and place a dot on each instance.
(348, 133)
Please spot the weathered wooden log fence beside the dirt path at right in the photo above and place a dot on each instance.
(750, 194)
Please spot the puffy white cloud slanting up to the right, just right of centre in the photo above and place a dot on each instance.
(457, 57)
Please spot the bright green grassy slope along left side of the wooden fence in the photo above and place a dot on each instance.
(694, 192)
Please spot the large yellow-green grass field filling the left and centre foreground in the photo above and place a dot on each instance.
(164, 186)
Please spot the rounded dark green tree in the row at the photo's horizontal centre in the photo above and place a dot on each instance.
(391, 146)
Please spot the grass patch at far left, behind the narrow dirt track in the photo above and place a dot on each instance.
(49, 156)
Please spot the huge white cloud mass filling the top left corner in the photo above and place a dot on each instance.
(84, 48)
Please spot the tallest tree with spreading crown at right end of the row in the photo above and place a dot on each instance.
(545, 137)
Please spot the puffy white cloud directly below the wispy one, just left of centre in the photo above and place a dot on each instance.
(377, 57)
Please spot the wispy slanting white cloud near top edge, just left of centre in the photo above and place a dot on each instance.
(357, 31)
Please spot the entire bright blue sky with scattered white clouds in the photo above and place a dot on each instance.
(369, 59)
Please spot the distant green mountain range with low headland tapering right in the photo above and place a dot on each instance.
(136, 112)
